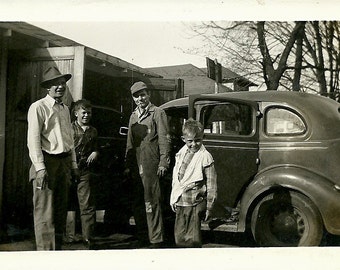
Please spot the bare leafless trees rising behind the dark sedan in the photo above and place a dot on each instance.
(298, 56)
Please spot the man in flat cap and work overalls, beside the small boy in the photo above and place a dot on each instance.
(147, 158)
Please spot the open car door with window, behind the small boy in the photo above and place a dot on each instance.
(231, 136)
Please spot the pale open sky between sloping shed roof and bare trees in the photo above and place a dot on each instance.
(145, 44)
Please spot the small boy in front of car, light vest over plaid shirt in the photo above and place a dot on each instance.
(193, 186)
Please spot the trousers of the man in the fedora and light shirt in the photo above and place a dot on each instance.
(50, 204)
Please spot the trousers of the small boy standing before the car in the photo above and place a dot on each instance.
(188, 225)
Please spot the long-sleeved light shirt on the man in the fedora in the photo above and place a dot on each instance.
(49, 130)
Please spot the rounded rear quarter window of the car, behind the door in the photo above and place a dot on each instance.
(281, 121)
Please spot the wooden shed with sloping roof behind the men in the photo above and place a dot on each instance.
(25, 52)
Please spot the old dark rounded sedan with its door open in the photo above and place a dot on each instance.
(277, 157)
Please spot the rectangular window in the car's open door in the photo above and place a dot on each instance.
(227, 119)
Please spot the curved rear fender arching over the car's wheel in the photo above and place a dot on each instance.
(320, 190)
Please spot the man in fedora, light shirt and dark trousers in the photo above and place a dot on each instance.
(51, 150)
